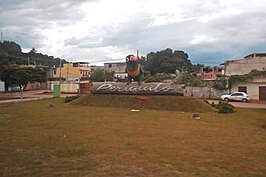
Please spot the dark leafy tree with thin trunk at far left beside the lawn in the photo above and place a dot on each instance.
(21, 76)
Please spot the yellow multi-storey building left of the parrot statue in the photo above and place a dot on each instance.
(73, 71)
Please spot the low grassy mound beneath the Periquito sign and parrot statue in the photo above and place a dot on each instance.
(168, 103)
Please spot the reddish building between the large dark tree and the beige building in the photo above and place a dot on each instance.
(210, 73)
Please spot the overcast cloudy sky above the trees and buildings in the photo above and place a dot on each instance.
(99, 31)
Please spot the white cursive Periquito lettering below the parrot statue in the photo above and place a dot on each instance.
(151, 88)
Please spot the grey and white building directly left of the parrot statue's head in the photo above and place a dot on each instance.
(118, 68)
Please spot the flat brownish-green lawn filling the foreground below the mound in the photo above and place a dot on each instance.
(52, 138)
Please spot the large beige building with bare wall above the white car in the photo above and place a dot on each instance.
(245, 65)
